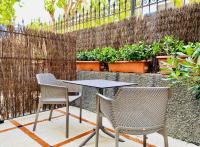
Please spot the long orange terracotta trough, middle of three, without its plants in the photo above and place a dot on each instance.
(129, 66)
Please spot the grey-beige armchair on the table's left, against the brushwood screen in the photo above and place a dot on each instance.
(54, 92)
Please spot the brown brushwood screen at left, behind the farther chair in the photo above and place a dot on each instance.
(22, 55)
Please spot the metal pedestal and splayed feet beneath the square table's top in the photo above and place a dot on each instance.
(101, 127)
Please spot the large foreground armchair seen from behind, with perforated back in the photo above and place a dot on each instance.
(136, 111)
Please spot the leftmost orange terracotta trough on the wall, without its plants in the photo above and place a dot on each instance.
(88, 66)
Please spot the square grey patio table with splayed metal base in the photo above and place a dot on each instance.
(100, 90)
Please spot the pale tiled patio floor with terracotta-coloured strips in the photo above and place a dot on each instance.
(18, 132)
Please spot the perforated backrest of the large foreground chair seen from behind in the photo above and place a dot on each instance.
(141, 107)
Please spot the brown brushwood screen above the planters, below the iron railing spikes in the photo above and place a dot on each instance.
(183, 23)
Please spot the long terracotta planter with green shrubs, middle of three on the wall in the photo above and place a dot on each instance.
(130, 58)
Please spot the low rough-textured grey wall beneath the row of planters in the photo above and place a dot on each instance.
(183, 113)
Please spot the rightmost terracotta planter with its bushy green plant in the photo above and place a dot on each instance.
(167, 48)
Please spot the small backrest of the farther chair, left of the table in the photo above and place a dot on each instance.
(46, 78)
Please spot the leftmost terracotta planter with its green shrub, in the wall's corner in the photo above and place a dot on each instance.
(88, 60)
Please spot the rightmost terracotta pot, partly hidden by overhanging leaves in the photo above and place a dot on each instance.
(164, 59)
